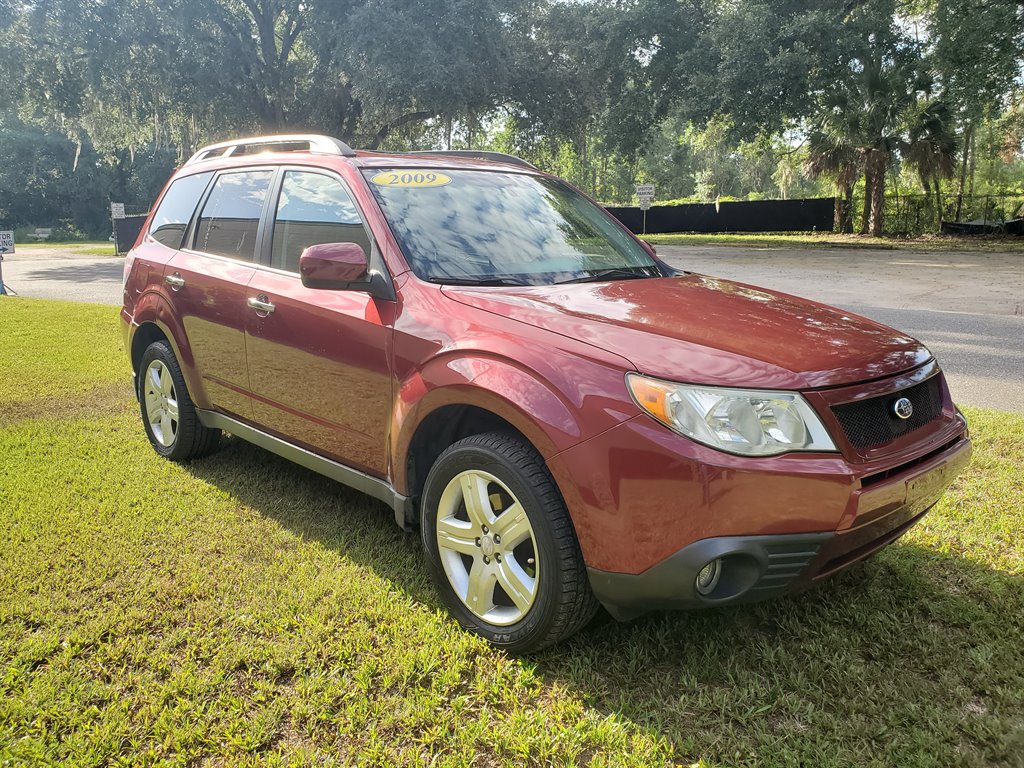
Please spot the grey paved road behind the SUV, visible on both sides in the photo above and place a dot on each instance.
(967, 308)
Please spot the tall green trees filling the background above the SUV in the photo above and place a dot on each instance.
(705, 98)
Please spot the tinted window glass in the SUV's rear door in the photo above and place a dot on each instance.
(231, 218)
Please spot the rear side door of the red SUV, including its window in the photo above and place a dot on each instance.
(208, 279)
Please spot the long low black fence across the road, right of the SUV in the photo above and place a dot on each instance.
(745, 217)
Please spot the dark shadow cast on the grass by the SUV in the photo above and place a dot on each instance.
(911, 659)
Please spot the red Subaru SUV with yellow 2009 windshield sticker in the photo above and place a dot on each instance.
(568, 420)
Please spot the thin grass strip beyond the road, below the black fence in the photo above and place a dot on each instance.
(830, 240)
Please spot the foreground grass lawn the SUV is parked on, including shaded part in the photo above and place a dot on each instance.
(241, 611)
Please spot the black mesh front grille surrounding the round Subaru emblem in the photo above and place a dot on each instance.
(873, 421)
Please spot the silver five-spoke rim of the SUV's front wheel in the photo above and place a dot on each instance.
(488, 548)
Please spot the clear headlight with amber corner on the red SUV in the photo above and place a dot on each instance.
(738, 421)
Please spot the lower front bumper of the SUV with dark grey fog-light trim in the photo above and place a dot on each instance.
(757, 568)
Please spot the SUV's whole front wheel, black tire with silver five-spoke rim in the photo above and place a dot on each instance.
(501, 545)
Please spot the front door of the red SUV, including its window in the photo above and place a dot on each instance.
(319, 361)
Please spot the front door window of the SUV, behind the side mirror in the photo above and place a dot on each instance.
(313, 209)
